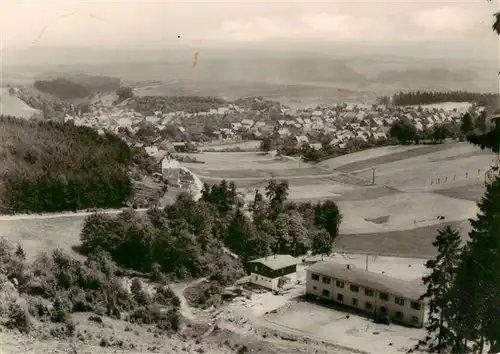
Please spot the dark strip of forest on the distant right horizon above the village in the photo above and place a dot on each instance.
(429, 97)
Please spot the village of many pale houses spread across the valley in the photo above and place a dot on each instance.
(342, 122)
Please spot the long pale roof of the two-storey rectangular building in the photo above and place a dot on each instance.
(408, 289)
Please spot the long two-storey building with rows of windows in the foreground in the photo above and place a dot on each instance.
(367, 291)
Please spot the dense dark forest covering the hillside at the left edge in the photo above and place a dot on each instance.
(49, 166)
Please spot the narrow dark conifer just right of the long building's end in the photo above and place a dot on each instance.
(439, 281)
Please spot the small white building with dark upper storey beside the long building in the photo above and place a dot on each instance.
(273, 272)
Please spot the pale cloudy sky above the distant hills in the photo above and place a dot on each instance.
(239, 23)
